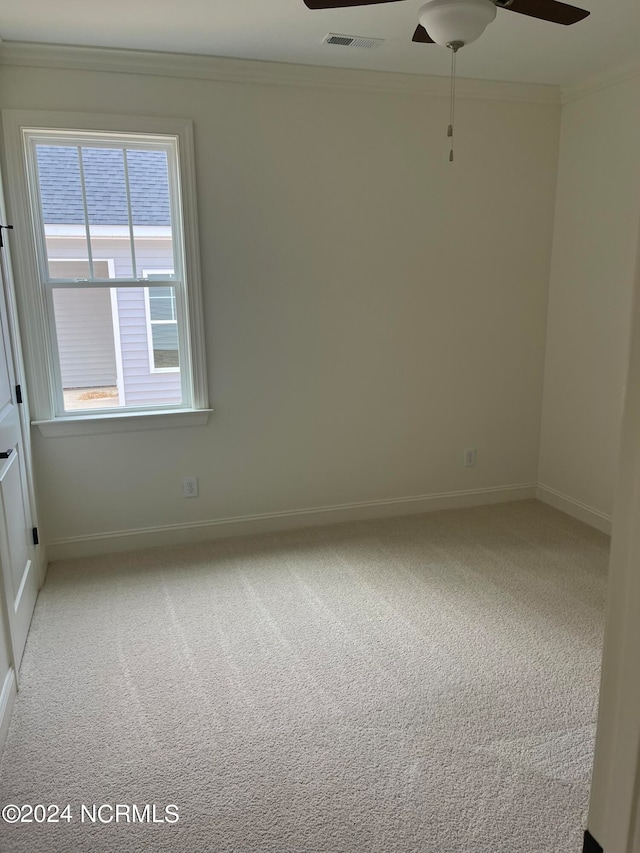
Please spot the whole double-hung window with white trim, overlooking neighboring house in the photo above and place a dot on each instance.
(115, 266)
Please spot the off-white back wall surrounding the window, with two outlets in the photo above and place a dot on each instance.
(370, 309)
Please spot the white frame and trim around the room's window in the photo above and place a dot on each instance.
(42, 370)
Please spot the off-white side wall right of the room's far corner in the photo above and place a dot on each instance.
(594, 245)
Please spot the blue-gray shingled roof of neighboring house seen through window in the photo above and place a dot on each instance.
(104, 177)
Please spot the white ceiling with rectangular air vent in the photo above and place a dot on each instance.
(513, 48)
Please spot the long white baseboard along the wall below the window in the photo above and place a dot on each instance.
(201, 531)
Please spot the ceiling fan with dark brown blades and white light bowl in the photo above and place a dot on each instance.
(455, 23)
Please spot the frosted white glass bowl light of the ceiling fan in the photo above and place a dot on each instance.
(450, 21)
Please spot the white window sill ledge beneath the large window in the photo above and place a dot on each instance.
(133, 421)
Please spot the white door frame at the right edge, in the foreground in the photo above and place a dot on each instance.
(614, 808)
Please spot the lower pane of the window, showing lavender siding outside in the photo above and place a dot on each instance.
(104, 346)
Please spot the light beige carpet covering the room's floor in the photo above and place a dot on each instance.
(416, 684)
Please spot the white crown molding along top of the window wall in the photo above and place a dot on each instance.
(256, 72)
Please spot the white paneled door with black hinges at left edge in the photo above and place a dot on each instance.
(17, 551)
